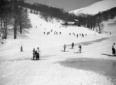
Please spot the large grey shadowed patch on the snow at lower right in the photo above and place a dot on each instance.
(101, 66)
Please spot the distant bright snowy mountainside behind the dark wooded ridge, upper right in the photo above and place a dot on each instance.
(96, 7)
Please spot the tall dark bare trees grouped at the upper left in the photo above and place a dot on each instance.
(11, 13)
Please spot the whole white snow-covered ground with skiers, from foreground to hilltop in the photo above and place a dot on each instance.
(18, 68)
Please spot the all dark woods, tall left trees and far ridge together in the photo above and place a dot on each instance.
(12, 12)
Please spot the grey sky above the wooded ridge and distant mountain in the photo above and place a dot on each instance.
(67, 5)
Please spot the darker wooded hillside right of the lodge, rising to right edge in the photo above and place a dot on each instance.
(93, 21)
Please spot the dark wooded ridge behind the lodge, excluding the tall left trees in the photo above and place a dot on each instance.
(90, 21)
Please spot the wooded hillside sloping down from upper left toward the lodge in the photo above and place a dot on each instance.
(52, 12)
